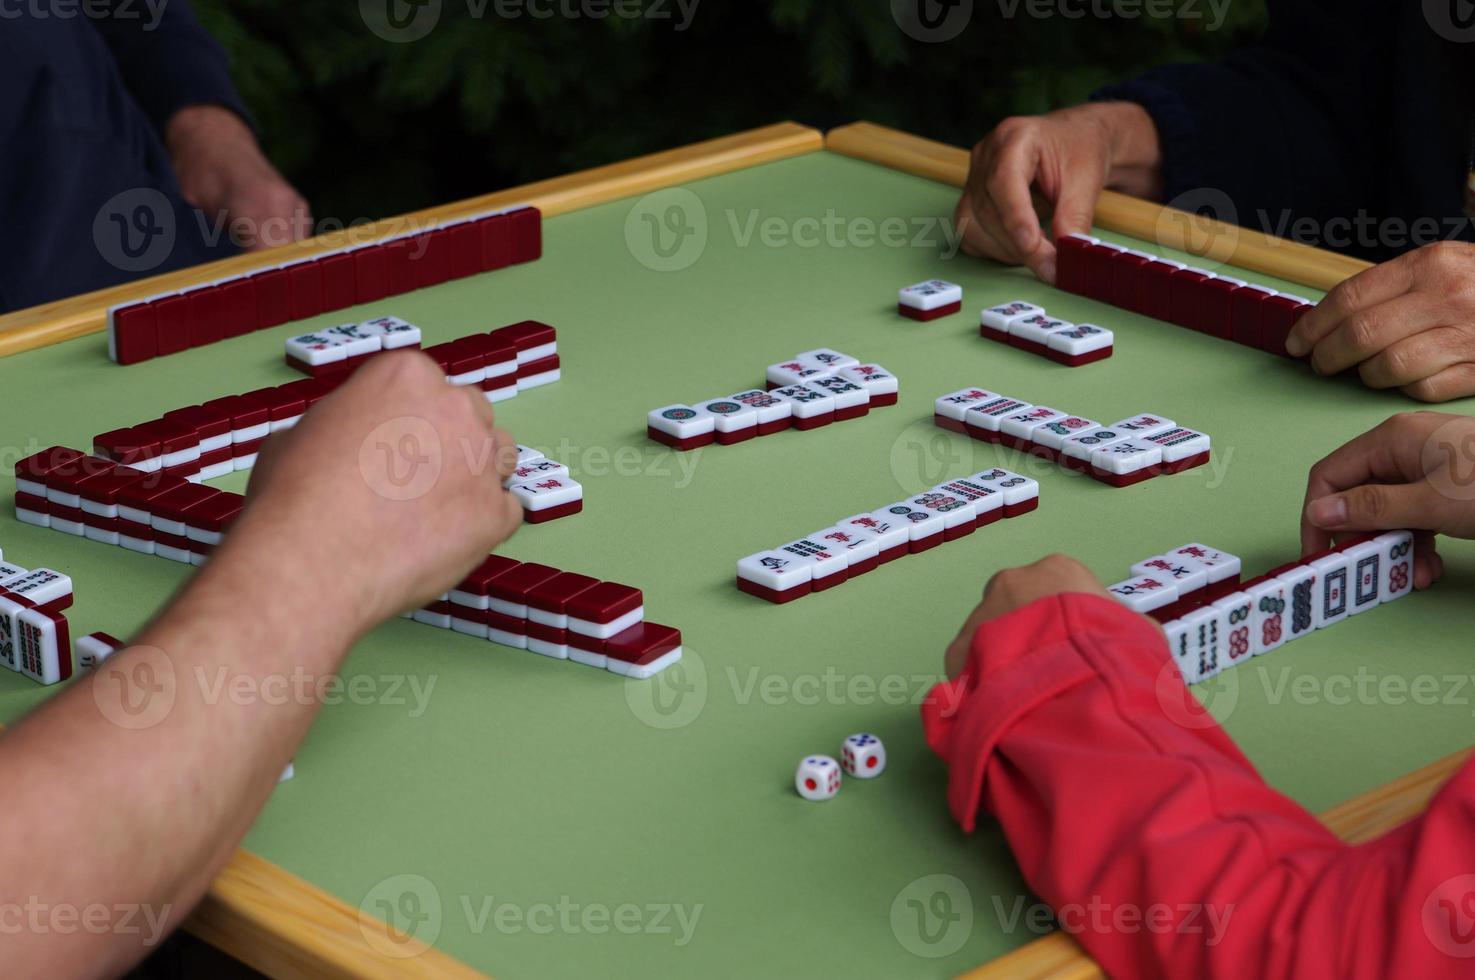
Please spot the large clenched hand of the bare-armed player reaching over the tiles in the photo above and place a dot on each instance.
(386, 495)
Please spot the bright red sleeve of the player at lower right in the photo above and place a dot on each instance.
(1156, 841)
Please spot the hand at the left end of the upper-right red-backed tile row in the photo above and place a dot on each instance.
(1067, 157)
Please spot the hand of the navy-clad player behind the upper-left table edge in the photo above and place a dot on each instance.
(223, 172)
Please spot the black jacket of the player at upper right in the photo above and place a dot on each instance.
(1315, 123)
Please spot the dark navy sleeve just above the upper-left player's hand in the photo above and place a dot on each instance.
(167, 60)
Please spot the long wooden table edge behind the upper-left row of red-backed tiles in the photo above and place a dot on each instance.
(79, 317)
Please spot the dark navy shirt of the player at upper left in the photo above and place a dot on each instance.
(88, 196)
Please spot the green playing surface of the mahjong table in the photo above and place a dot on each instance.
(552, 820)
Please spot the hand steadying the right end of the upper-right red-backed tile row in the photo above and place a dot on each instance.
(1408, 324)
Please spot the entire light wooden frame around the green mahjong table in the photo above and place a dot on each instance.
(290, 929)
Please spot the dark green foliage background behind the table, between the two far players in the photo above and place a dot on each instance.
(368, 128)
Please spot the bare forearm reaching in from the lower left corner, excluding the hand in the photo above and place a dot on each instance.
(132, 789)
